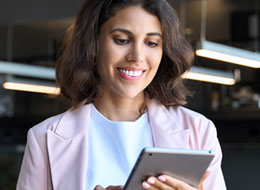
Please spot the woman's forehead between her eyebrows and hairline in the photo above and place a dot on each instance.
(135, 19)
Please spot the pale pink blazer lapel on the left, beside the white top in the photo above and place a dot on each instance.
(67, 147)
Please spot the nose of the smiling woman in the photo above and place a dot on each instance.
(136, 53)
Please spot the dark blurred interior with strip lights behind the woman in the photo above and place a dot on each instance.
(31, 34)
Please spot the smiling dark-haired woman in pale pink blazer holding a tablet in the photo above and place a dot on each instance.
(121, 71)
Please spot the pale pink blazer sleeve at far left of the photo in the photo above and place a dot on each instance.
(34, 173)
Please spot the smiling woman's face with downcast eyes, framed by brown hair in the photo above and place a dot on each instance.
(130, 52)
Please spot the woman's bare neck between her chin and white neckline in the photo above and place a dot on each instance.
(119, 108)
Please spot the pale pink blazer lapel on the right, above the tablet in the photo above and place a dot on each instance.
(167, 131)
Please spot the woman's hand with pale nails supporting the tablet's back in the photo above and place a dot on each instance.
(165, 182)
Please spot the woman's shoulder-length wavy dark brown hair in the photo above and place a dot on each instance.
(76, 68)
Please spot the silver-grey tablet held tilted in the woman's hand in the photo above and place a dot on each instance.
(183, 164)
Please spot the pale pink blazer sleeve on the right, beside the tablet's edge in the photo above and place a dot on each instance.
(215, 181)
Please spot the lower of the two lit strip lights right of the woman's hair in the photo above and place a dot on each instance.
(210, 75)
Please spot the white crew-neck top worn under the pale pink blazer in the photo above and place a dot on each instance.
(114, 148)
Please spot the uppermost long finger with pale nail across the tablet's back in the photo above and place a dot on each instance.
(175, 183)
